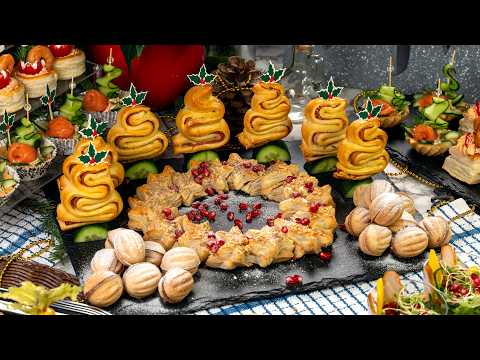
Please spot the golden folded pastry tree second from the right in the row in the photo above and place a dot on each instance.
(324, 127)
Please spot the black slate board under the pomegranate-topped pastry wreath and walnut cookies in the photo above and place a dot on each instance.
(215, 287)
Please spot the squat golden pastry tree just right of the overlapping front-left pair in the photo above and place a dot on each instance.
(136, 135)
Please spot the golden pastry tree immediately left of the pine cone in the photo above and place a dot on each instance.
(200, 123)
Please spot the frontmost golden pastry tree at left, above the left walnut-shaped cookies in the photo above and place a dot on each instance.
(87, 194)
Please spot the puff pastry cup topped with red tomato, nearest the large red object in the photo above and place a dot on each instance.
(69, 61)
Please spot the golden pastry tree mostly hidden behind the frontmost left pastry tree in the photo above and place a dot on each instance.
(117, 171)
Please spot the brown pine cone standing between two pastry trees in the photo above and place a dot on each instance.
(235, 74)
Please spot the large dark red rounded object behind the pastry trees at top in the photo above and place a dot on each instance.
(161, 69)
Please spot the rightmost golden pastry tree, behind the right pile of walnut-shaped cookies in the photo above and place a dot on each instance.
(362, 153)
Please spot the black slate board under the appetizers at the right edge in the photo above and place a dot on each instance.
(430, 167)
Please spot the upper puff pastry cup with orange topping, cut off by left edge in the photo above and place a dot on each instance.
(12, 92)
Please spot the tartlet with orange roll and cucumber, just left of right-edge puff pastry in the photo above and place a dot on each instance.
(430, 137)
